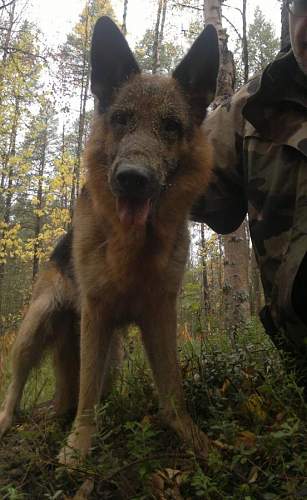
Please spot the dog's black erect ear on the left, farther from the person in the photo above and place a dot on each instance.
(111, 59)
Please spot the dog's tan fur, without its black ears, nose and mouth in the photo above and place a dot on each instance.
(120, 273)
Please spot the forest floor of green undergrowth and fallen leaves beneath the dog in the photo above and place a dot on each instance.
(253, 412)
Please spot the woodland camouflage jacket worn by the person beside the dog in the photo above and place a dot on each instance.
(259, 137)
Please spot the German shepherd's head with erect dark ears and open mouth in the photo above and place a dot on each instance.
(149, 120)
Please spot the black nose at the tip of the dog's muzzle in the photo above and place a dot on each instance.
(134, 181)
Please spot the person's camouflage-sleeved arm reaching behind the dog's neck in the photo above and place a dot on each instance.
(223, 207)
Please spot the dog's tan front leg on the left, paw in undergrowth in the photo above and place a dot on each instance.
(95, 343)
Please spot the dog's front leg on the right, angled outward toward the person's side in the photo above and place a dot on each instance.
(159, 332)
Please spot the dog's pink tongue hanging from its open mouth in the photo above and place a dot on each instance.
(133, 212)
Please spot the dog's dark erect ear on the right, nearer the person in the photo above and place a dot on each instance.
(197, 72)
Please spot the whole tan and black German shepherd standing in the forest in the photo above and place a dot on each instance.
(147, 162)
